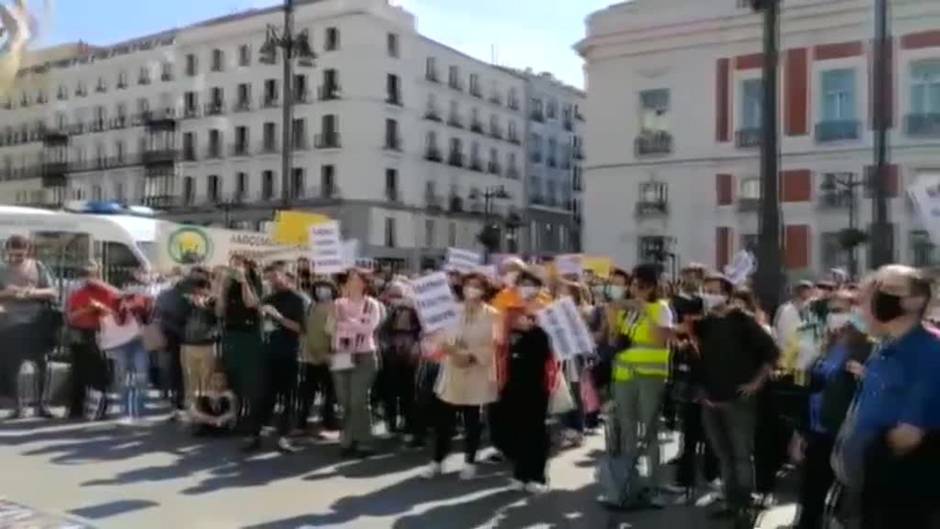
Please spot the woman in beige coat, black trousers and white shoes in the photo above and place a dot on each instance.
(468, 376)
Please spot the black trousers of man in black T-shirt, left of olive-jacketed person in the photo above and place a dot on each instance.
(280, 385)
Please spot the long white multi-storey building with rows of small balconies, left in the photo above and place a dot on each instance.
(400, 137)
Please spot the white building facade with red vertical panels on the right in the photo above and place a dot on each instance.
(674, 120)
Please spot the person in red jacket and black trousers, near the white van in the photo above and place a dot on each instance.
(86, 305)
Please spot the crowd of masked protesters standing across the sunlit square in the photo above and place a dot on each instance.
(844, 380)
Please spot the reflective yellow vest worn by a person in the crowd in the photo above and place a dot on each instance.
(643, 357)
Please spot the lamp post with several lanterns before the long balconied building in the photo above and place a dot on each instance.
(294, 46)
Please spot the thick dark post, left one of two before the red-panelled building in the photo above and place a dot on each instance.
(769, 274)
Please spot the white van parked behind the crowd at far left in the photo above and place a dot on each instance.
(66, 241)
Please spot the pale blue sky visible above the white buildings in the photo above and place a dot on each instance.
(520, 33)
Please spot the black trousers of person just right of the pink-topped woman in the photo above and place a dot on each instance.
(397, 387)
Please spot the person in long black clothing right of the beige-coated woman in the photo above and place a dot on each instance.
(530, 377)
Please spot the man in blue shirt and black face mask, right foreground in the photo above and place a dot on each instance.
(885, 453)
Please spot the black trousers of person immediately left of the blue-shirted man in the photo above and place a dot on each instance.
(816, 480)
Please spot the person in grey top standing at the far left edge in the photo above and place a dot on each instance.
(28, 325)
